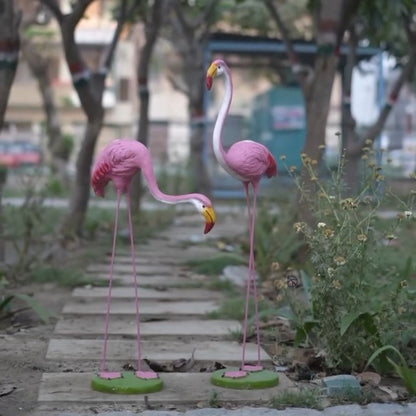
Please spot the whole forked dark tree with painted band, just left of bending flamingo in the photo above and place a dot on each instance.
(89, 84)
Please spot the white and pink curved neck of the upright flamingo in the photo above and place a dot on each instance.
(218, 148)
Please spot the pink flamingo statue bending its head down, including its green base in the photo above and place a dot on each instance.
(118, 162)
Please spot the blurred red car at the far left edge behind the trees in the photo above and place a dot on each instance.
(20, 153)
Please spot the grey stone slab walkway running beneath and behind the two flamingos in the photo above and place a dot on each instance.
(173, 311)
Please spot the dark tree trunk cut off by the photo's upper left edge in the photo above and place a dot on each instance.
(10, 17)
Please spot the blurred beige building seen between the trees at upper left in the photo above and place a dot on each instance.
(25, 116)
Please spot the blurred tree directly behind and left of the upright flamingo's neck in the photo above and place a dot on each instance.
(190, 24)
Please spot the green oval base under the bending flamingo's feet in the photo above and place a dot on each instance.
(128, 384)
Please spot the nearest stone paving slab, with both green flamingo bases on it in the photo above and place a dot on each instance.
(178, 388)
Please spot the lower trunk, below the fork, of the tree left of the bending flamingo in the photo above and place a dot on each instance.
(78, 203)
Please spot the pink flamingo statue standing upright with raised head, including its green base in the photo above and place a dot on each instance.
(247, 161)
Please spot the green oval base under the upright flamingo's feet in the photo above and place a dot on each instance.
(256, 380)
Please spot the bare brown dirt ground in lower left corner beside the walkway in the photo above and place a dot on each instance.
(23, 343)
